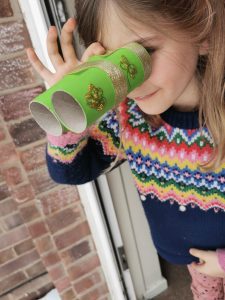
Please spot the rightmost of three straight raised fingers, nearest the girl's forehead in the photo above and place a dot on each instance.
(67, 41)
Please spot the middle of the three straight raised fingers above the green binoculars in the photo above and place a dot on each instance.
(52, 47)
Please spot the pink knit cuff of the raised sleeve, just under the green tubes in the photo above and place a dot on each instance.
(68, 138)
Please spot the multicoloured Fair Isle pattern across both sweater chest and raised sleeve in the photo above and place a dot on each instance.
(165, 161)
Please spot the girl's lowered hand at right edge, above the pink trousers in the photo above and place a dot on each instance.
(209, 263)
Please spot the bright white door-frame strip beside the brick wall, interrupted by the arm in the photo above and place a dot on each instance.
(37, 27)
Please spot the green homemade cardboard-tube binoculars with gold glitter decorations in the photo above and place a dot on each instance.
(81, 97)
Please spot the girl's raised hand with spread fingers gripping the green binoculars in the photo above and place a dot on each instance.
(62, 65)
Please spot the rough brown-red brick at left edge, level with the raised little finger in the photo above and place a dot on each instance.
(15, 72)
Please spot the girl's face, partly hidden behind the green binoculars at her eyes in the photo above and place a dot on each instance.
(173, 80)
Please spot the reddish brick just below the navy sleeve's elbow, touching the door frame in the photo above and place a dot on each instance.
(58, 199)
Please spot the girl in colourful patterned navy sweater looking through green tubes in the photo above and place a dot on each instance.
(171, 129)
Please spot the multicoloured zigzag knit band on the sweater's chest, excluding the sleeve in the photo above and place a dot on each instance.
(165, 162)
